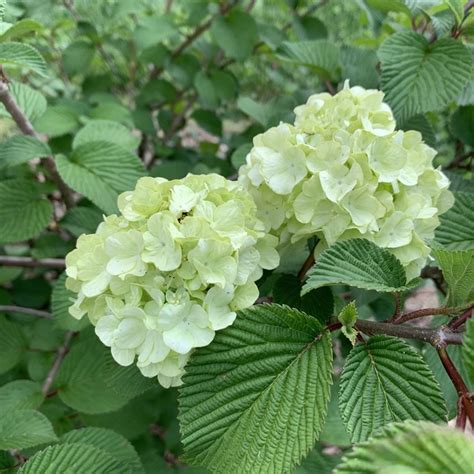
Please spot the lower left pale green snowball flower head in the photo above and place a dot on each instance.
(159, 279)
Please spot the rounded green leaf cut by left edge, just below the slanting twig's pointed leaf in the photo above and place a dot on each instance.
(24, 212)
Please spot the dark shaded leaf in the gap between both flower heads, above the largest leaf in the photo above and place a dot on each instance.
(318, 303)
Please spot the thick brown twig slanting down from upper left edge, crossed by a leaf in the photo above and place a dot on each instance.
(25, 126)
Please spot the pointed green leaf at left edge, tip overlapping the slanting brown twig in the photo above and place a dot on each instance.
(21, 149)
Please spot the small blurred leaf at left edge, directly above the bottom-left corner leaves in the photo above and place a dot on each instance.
(20, 395)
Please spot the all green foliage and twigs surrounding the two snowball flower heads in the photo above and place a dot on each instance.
(94, 95)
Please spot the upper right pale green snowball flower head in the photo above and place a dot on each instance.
(342, 171)
